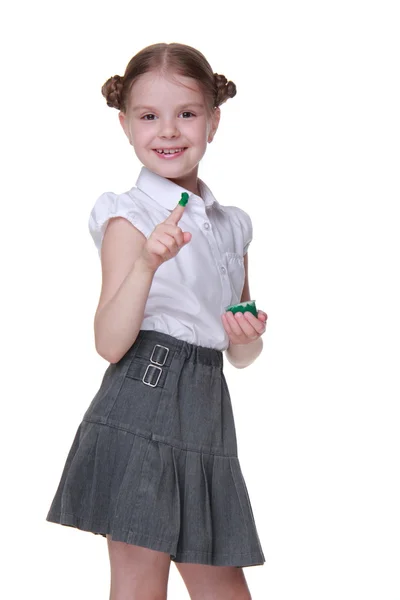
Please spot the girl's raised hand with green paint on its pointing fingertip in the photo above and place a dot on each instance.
(165, 240)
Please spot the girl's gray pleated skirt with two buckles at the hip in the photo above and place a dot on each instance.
(154, 461)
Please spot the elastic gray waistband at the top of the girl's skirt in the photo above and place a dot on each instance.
(156, 345)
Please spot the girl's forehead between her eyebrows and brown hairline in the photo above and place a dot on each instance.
(153, 87)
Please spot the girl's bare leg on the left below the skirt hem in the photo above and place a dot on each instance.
(137, 573)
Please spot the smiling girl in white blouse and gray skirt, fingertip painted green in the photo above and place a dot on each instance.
(154, 466)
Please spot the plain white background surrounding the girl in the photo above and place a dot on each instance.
(310, 148)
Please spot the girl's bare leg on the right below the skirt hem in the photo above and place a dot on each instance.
(205, 582)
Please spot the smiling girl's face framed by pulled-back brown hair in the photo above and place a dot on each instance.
(164, 114)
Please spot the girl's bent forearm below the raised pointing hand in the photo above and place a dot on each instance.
(118, 323)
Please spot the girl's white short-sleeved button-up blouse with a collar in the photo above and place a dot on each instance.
(190, 291)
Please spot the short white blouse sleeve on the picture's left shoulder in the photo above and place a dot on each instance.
(110, 205)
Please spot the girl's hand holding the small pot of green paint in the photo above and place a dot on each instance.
(244, 328)
